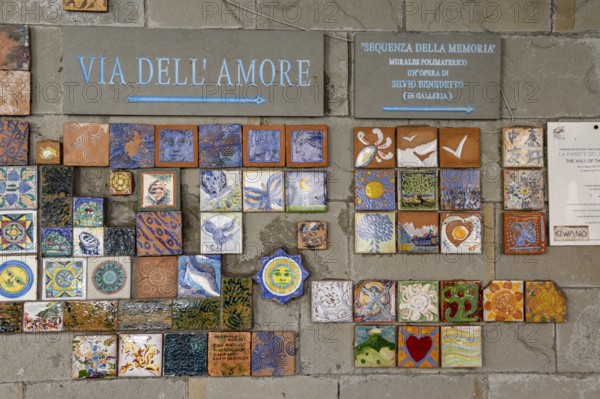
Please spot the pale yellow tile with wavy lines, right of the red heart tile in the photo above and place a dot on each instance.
(461, 346)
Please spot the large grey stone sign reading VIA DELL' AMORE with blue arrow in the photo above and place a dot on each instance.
(131, 71)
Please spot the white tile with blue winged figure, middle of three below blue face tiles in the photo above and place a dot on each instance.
(263, 190)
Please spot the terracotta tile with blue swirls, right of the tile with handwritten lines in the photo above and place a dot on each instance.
(273, 353)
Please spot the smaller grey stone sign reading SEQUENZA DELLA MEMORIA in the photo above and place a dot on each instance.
(427, 76)
